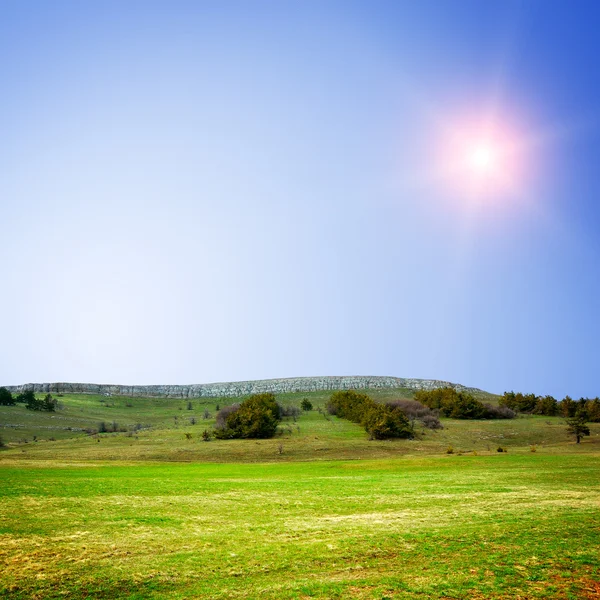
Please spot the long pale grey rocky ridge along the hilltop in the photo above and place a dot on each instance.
(241, 388)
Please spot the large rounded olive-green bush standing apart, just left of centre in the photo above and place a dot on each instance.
(256, 417)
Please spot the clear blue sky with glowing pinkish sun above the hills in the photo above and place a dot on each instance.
(205, 191)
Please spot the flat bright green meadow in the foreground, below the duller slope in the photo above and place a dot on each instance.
(503, 526)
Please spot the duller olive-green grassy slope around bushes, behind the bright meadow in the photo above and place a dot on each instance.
(312, 437)
